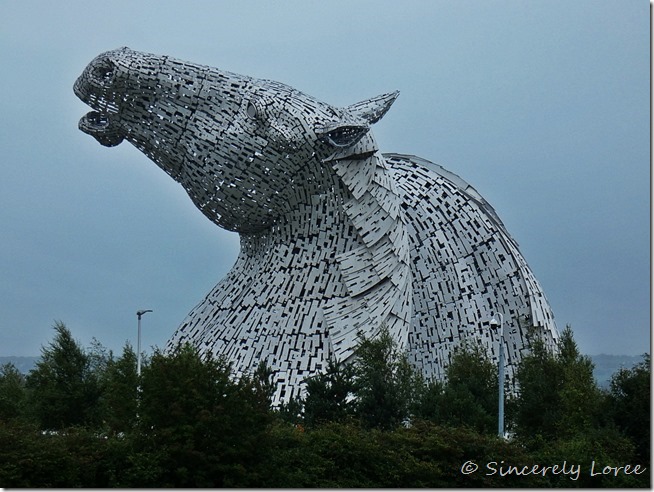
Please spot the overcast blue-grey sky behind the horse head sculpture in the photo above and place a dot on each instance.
(543, 106)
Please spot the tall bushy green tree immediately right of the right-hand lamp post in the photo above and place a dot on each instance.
(560, 413)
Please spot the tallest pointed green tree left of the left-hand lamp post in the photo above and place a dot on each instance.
(63, 388)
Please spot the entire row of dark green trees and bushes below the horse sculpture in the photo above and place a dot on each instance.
(84, 418)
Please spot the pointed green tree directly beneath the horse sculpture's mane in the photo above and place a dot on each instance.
(386, 383)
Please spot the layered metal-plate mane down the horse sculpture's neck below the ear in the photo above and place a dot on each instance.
(378, 274)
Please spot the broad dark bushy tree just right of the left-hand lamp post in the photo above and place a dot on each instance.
(200, 428)
